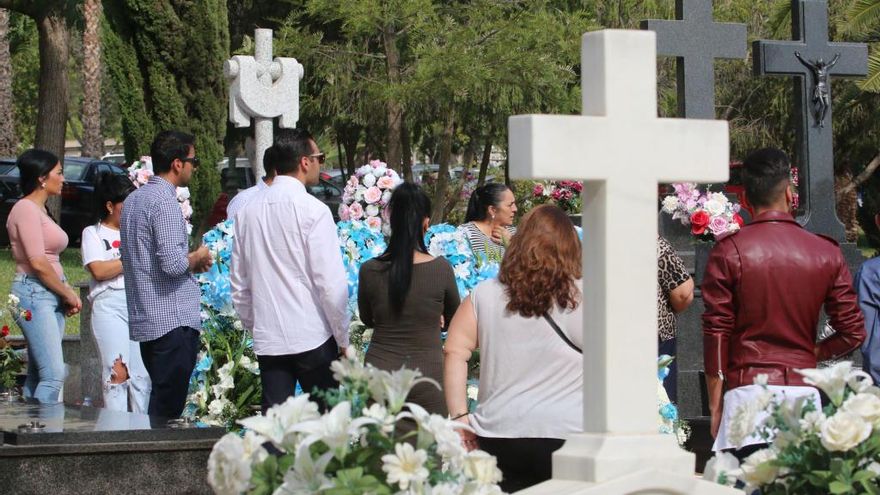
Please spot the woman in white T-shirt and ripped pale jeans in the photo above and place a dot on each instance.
(126, 381)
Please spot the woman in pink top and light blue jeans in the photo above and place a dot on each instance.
(39, 283)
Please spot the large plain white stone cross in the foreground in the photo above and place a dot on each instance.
(621, 150)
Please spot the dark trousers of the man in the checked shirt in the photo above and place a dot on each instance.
(170, 360)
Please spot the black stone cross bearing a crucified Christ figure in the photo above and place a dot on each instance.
(812, 59)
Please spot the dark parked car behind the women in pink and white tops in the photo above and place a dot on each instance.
(77, 196)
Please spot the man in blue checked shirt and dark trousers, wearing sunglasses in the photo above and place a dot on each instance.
(162, 295)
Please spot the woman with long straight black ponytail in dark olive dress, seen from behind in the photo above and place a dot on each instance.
(404, 294)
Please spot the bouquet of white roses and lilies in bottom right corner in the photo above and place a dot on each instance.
(812, 450)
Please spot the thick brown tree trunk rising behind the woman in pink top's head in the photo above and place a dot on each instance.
(53, 95)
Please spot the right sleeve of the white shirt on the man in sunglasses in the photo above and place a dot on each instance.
(328, 273)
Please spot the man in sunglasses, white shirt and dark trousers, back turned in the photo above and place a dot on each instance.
(288, 281)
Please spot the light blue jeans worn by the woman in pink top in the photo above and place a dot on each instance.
(44, 331)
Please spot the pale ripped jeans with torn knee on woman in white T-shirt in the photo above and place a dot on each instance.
(110, 326)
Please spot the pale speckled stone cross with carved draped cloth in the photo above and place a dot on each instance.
(263, 89)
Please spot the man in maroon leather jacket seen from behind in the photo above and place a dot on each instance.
(764, 288)
